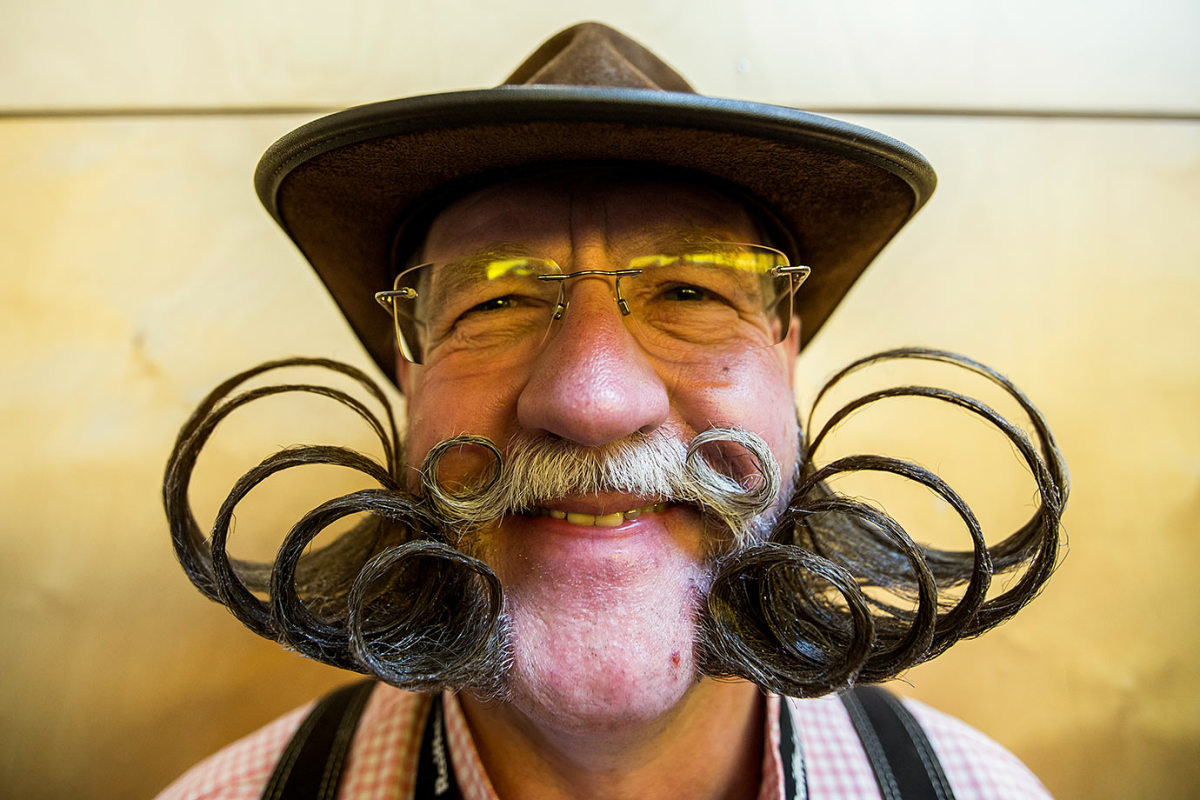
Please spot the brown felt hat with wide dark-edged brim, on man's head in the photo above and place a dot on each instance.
(352, 188)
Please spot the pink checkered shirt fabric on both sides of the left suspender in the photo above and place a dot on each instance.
(241, 771)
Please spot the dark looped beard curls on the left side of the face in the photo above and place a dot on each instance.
(387, 598)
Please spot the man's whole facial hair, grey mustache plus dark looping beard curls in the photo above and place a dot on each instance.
(394, 597)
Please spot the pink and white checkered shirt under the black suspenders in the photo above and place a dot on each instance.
(382, 761)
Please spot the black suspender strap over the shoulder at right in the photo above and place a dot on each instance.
(904, 762)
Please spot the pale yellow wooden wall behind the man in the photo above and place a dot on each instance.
(139, 272)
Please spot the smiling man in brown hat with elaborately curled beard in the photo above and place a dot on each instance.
(605, 503)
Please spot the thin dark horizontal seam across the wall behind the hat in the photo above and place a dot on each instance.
(281, 111)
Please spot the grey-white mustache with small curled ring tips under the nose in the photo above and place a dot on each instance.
(537, 471)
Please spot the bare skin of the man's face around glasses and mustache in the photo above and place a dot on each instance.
(603, 617)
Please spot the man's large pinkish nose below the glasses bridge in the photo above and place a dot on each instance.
(592, 383)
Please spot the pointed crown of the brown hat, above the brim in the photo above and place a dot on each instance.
(591, 55)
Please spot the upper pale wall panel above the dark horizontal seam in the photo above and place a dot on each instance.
(1023, 55)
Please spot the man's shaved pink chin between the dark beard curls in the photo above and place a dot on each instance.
(603, 633)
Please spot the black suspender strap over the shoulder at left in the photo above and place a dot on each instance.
(311, 766)
